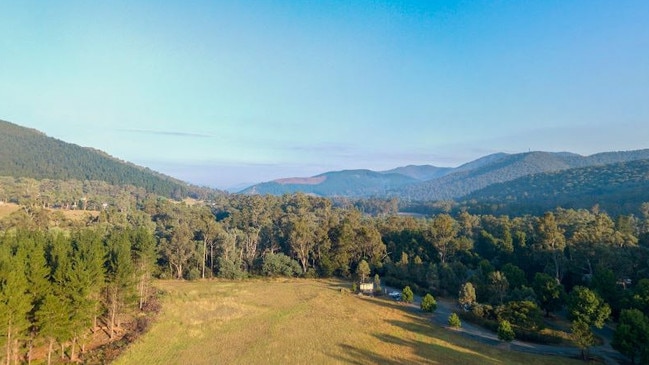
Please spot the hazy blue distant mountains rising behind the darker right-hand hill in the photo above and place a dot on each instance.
(430, 183)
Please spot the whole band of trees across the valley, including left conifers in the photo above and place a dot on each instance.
(501, 268)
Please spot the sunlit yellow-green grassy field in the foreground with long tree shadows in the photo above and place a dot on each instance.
(300, 322)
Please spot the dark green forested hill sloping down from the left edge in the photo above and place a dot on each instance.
(29, 153)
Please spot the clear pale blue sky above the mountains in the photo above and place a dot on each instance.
(229, 93)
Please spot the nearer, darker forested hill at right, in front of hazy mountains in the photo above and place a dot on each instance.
(617, 188)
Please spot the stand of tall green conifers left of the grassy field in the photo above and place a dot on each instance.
(57, 288)
